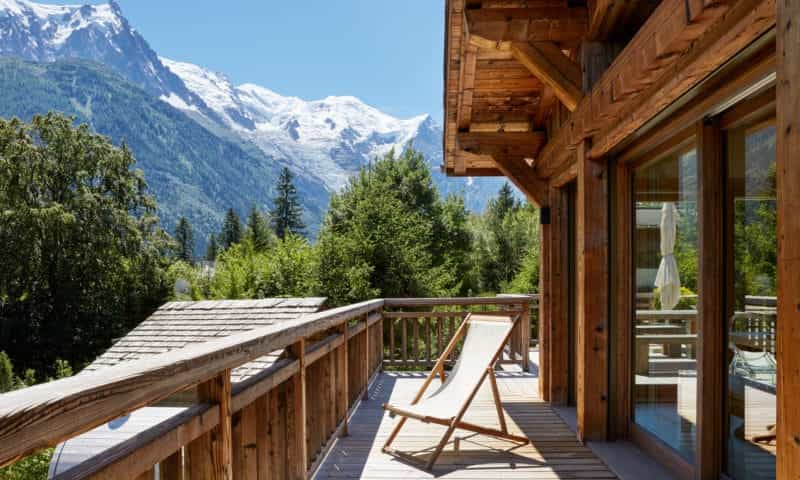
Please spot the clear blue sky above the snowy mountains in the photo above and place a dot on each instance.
(387, 53)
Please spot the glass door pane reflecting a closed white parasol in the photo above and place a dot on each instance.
(665, 331)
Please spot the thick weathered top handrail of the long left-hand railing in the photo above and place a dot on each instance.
(52, 412)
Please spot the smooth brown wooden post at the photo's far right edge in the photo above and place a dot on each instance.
(788, 325)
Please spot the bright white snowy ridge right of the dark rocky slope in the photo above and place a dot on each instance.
(330, 138)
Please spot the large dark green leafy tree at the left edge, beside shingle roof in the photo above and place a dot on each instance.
(88, 261)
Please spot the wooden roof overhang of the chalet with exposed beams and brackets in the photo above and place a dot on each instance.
(504, 79)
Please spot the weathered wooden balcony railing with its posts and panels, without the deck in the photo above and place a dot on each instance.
(276, 424)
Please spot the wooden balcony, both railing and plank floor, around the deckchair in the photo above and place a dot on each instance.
(316, 411)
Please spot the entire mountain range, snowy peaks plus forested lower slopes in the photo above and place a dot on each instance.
(323, 141)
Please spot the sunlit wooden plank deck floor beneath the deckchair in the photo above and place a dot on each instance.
(554, 452)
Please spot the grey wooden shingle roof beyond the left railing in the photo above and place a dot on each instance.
(177, 324)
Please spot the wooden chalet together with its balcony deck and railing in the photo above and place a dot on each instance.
(656, 137)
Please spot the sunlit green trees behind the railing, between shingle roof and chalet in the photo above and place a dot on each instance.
(388, 233)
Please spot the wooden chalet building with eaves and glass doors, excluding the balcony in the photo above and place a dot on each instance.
(657, 139)
